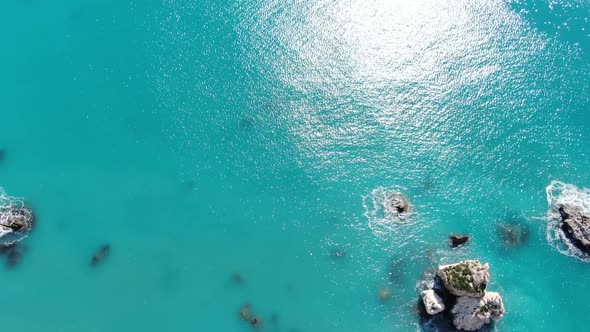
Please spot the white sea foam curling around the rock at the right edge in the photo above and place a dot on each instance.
(561, 193)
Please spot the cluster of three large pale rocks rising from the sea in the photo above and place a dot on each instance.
(464, 292)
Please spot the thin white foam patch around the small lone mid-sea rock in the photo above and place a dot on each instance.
(382, 220)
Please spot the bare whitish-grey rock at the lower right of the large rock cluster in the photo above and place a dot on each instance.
(472, 313)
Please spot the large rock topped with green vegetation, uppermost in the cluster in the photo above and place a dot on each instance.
(467, 278)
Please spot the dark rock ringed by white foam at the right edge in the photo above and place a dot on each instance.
(575, 223)
